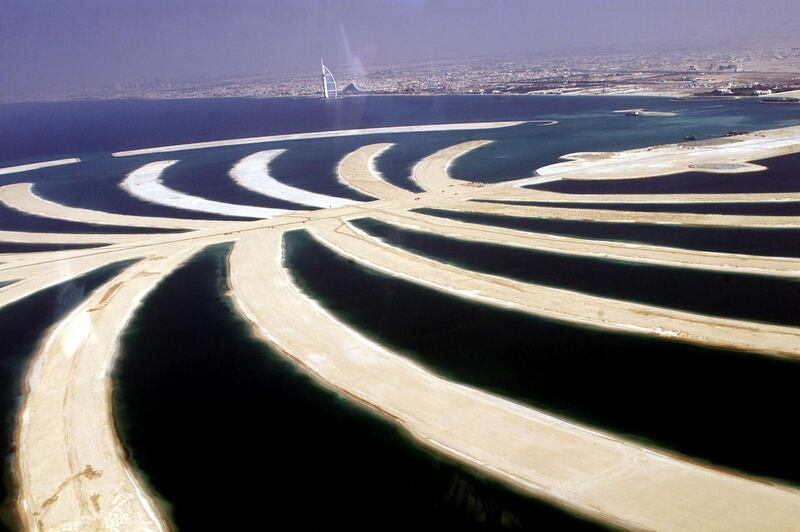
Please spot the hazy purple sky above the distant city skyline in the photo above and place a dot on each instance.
(57, 45)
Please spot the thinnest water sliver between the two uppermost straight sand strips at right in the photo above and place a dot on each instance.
(758, 208)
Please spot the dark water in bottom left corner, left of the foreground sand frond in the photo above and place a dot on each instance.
(22, 326)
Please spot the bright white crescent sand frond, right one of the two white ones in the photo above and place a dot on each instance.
(252, 172)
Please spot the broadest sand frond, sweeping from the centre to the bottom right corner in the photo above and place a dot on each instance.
(596, 474)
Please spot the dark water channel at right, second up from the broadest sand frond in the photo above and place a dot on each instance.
(750, 297)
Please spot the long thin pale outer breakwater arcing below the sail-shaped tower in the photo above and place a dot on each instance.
(319, 135)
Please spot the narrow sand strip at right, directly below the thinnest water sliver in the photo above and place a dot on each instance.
(706, 220)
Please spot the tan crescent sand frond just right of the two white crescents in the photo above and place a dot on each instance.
(358, 171)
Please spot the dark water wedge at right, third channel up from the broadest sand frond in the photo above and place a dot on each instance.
(745, 240)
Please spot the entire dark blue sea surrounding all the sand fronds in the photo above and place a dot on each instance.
(229, 434)
